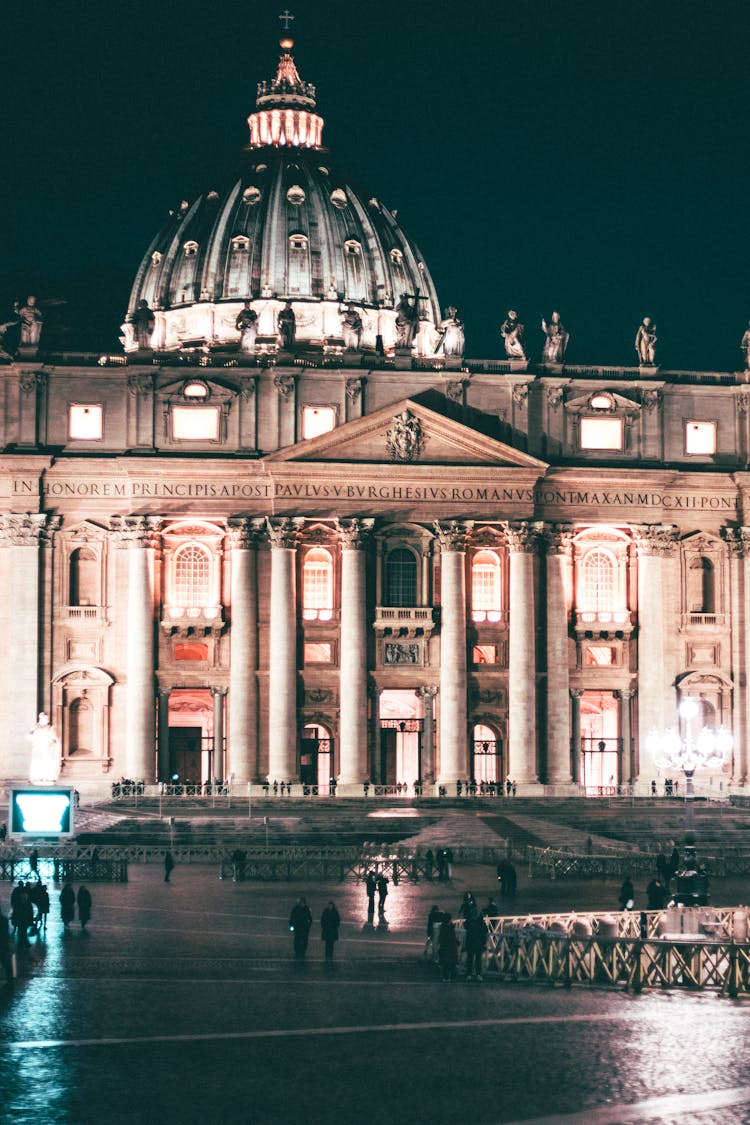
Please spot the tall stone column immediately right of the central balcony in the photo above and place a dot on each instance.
(454, 686)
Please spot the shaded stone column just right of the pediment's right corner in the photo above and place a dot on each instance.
(558, 676)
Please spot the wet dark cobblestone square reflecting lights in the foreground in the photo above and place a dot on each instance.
(183, 1004)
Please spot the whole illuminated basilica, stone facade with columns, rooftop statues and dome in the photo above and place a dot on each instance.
(292, 533)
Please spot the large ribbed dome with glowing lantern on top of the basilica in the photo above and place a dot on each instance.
(291, 232)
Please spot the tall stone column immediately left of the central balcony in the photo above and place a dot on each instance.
(354, 654)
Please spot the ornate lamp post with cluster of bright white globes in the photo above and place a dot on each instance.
(672, 752)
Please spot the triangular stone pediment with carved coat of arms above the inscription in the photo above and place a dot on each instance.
(430, 438)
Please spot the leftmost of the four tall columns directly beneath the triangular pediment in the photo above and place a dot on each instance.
(283, 663)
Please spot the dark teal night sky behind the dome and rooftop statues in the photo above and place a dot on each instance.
(592, 158)
